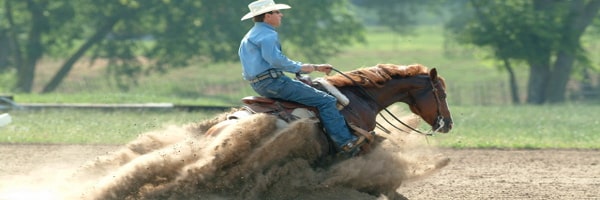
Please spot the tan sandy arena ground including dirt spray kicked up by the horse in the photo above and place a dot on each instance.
(177, 163)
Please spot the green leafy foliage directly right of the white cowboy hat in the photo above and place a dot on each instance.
(319, 29)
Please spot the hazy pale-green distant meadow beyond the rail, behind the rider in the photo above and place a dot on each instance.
(472, 80)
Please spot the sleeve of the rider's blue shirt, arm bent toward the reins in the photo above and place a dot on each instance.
(271, 52)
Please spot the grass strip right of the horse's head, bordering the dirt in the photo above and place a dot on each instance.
(524, 127)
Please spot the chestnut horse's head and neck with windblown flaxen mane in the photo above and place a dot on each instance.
(422, 90)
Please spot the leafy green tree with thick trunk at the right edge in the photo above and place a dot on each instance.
(545, 34)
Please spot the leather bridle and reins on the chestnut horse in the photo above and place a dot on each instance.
(439, 118)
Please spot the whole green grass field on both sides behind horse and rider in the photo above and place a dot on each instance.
(473, 82)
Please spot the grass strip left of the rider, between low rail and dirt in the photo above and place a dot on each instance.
(70, 126)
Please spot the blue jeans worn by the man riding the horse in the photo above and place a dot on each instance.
(292, 90)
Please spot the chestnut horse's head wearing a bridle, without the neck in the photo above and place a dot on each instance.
(429, 102)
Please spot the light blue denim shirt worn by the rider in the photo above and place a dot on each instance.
(260, 51)
